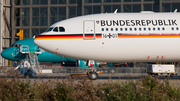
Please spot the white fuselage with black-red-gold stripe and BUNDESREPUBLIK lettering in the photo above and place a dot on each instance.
(120, 37)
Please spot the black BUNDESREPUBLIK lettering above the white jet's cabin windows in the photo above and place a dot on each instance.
(168, 22)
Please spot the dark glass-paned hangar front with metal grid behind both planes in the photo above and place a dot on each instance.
(35, 16)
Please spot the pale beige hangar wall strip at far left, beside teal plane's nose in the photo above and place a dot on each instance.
(5, 29)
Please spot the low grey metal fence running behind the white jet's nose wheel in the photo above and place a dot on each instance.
(124, 70)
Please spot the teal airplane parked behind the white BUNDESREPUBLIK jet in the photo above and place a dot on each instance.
(15, 53)
